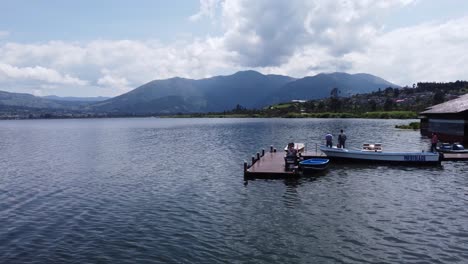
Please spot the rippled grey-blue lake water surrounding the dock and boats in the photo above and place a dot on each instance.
(156, 190)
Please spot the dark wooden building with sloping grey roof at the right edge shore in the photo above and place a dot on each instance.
(449, 120)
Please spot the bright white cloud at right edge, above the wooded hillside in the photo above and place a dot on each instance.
(428, 52)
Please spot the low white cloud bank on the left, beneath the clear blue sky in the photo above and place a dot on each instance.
(121, 64)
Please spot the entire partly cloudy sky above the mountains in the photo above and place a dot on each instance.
(109, 47)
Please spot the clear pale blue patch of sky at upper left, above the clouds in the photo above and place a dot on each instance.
(38, 21)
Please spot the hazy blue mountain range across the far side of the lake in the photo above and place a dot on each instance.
(249, 89)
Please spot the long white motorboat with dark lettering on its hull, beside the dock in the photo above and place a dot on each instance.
(375, 153)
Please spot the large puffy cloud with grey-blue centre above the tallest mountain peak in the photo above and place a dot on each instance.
(267, 33)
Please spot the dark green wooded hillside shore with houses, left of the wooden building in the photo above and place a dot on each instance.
(403, 103)
